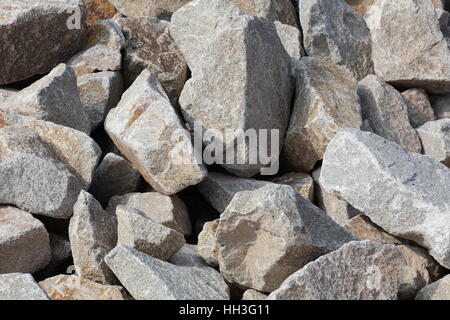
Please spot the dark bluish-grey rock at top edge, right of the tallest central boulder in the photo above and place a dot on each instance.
(335, 32)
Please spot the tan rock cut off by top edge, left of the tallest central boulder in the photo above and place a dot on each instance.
(162, 9)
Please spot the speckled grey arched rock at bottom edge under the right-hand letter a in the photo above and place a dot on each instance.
(362, 270)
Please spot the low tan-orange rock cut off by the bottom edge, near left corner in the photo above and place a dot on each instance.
(71, 287)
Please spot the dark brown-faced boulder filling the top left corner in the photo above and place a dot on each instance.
(29, 28)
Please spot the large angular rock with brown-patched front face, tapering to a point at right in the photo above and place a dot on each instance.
(275, 217)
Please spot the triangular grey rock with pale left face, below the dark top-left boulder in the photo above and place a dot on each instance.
(53, 98)
